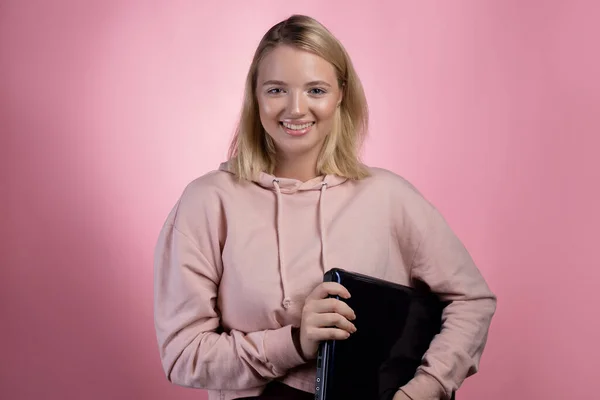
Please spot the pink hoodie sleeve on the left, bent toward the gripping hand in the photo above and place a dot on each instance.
(194, 350)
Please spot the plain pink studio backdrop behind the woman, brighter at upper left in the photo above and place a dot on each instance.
(108, 108)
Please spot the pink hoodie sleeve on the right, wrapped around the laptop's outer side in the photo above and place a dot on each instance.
(443, 263)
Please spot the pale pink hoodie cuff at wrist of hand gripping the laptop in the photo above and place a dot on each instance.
(280, 349)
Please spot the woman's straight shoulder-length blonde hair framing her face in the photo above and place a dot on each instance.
(252, 151)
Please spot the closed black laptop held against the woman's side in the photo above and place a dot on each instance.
(395, 325)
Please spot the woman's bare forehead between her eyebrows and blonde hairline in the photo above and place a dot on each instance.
(295, 66)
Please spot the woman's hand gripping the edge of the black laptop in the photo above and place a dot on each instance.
(325, 318)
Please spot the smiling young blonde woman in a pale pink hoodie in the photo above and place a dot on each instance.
(240, 307)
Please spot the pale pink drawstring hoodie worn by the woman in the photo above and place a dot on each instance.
(235, 261)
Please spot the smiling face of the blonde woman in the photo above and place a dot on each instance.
(298, 94)
